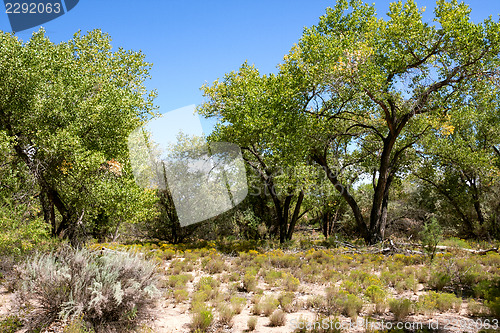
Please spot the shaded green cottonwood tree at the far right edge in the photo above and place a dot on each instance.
(461, 162)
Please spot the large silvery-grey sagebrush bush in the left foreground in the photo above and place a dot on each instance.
(100, 287)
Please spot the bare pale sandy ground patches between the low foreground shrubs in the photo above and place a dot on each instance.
(168, 317)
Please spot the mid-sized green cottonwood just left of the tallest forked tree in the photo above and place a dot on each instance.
(251, 112)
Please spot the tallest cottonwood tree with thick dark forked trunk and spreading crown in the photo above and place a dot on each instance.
(373, 82)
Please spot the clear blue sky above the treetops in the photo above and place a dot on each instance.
(193, 42)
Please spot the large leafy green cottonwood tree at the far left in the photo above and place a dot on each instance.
(68, 109)
